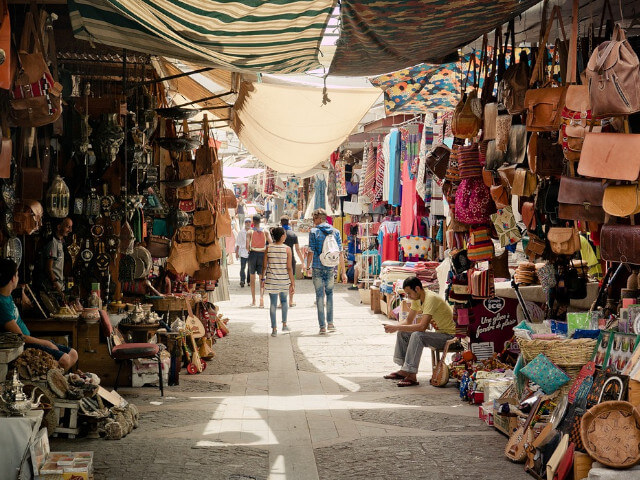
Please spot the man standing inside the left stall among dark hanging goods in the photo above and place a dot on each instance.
(49, 274)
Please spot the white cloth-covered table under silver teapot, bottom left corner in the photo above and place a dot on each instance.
(15, 435)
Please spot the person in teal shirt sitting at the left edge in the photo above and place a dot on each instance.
(10, 320)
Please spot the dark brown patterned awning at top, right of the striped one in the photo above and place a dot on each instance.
(384, 36)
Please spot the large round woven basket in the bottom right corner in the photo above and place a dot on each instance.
(610, 433)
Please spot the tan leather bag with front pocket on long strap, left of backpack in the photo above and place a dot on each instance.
(544, 105)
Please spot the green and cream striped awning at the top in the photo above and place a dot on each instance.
(275, 36)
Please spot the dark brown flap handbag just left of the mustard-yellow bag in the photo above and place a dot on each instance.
(581, 199)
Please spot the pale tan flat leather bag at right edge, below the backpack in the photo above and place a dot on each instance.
(613, 156)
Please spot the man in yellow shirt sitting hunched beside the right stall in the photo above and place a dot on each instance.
(427, 308)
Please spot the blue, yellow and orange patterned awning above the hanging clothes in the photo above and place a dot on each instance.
(421, 88)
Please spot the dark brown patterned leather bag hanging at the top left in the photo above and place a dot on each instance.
(35, 96)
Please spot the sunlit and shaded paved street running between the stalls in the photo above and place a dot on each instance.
(301, 406)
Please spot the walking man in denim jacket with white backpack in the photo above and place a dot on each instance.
(325, 253)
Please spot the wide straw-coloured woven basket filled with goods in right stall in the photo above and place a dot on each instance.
(563, 353)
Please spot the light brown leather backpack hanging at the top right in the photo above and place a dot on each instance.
(613, 77)
